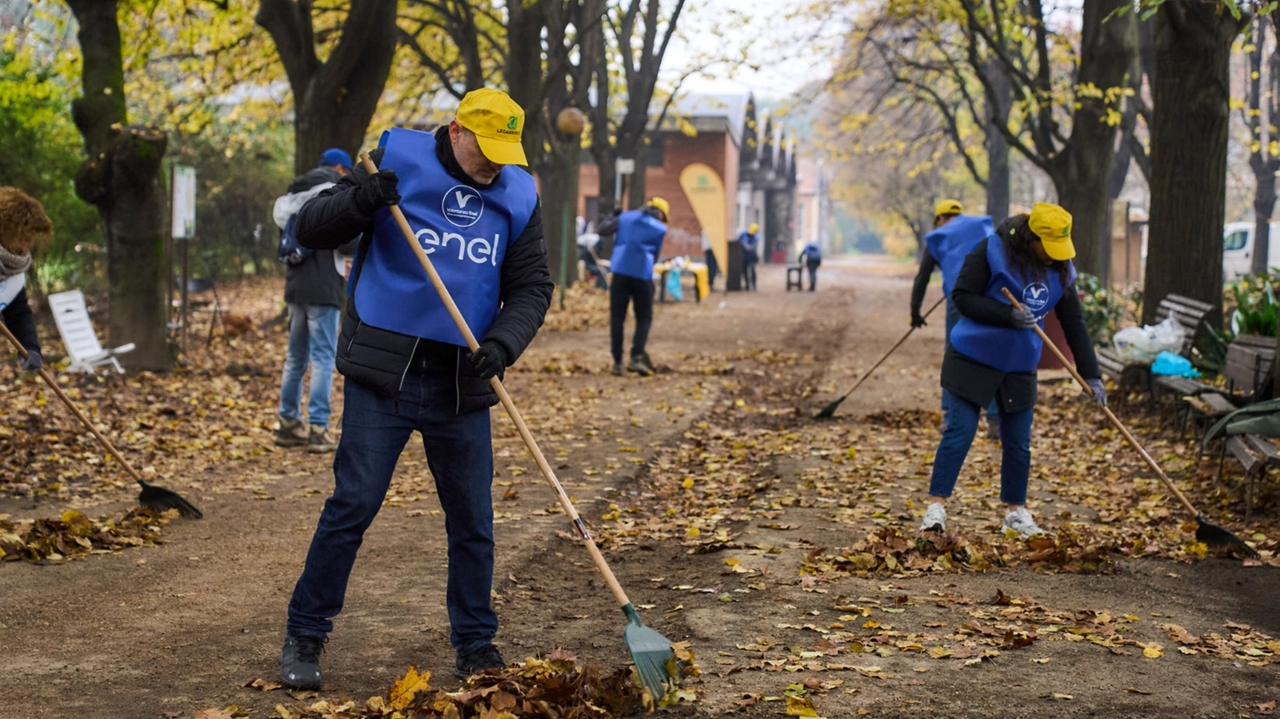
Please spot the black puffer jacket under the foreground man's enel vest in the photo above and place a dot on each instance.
(381, 359)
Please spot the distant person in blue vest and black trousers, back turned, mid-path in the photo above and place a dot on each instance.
(636, 250)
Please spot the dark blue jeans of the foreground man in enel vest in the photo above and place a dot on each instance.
(460, 455)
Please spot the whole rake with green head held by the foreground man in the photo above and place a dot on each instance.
(651, 652)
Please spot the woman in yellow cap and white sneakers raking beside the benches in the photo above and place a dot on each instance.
(994, 352)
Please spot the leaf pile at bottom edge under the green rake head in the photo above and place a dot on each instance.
(551, 688)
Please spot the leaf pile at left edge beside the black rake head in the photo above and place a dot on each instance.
(76, 535)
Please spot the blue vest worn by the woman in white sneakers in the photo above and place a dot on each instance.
(1009, 350)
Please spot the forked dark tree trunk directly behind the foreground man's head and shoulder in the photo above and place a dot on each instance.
(335, 99)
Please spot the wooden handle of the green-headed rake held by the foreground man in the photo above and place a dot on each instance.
(502, 396)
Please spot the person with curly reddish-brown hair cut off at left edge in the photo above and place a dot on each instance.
(22, 225)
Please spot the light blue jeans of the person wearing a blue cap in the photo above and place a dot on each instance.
(313, 340)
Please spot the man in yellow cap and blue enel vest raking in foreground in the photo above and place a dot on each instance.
(406, 363)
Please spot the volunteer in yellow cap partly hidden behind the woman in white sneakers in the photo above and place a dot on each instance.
(954, 237)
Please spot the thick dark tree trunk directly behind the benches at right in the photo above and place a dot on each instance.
(1188, 154)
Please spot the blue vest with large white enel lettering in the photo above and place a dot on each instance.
(463, 230)
